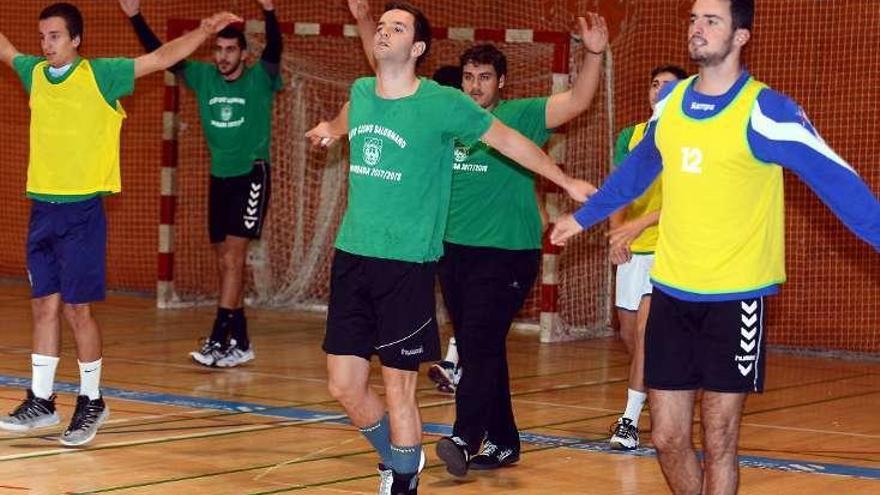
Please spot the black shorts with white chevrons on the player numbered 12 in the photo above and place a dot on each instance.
(717, 346)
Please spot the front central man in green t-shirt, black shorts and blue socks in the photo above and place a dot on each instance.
(402, 132)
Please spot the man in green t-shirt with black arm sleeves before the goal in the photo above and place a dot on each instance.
(235, 105)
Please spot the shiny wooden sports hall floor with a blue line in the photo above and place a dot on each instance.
(271, 427)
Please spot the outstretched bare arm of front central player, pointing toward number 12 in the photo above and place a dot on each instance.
(526, 153)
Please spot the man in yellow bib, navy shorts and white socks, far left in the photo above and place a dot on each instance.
(76, 119)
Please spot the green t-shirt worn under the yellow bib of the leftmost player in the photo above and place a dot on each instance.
(115, 79)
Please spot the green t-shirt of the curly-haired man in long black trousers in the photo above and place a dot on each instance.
(493, 198)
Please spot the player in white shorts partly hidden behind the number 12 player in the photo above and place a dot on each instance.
(633, 238)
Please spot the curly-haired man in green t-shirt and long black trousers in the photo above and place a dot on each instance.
(492, 246)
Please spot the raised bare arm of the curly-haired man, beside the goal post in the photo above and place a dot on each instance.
(562, 107)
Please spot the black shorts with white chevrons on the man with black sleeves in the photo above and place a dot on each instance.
(238, 205)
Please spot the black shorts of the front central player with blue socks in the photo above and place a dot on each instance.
(384, 307)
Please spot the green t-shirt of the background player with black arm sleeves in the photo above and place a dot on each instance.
(236, 115)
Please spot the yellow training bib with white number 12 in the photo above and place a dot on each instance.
(723, 219)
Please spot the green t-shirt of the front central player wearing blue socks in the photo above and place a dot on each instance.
(399, 175)
